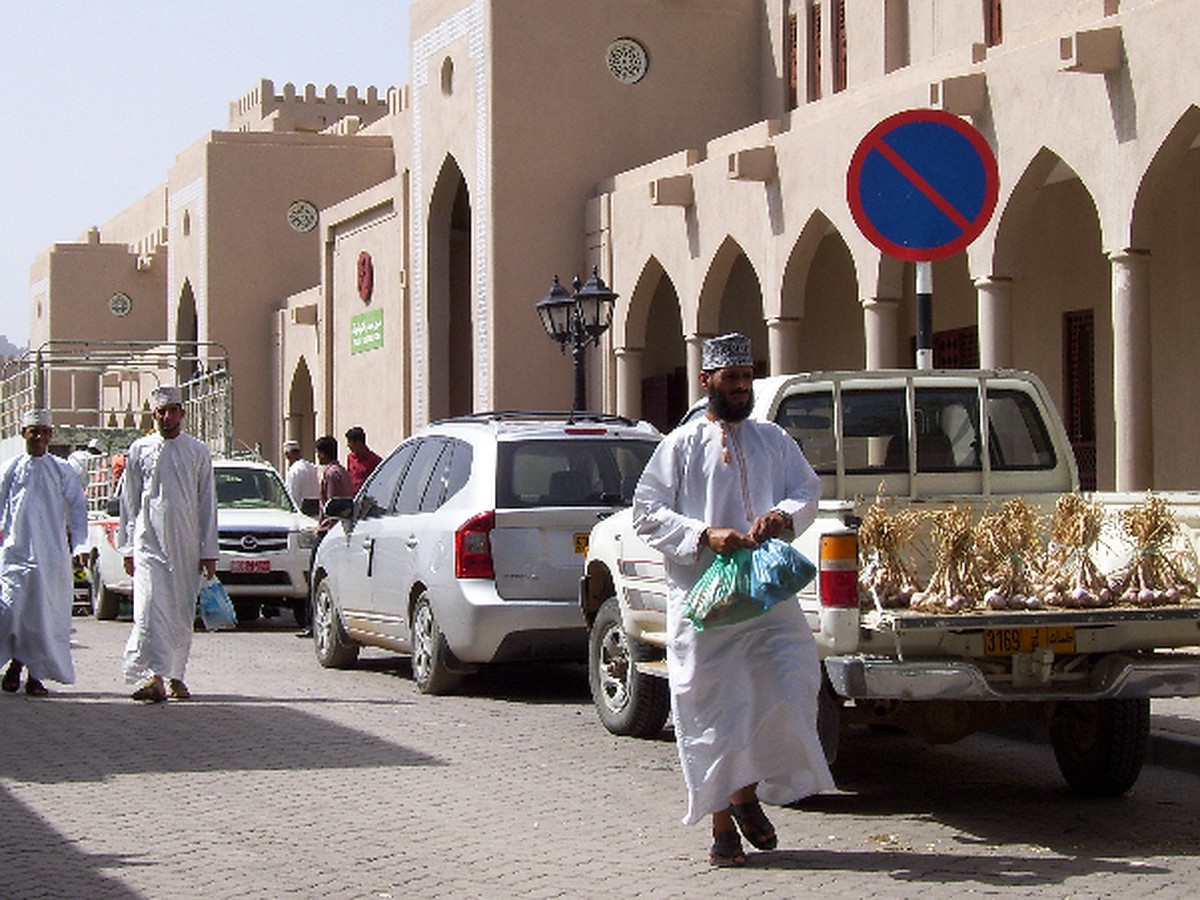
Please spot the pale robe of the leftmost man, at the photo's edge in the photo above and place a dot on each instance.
(41, 505)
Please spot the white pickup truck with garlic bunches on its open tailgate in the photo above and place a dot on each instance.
(1084, 664)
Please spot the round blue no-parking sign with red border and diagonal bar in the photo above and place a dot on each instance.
(922, 185)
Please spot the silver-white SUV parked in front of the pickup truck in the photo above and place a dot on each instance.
(466, 544)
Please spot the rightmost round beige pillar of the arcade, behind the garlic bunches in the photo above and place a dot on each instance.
(1131, 370)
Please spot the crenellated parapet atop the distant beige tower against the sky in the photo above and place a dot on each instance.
(263, 110)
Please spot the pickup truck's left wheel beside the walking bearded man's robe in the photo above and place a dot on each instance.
(629, 703)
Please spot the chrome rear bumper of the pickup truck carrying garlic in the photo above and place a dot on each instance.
(1115, 676)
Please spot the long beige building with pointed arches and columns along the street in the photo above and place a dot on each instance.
(698, 155)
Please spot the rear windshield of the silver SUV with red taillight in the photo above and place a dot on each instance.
(568, 473)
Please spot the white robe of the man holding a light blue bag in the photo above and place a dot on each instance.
(169, 525)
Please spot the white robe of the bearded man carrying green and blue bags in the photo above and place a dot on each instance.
(745, 697)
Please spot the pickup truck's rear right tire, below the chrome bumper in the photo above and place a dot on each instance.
(1101, 745)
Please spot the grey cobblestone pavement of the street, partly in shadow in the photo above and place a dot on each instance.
(281, 779)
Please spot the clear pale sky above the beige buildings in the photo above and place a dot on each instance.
(104, 94)
